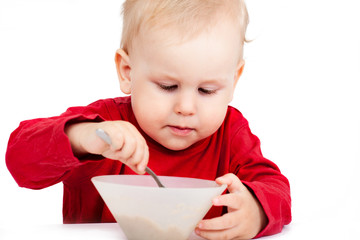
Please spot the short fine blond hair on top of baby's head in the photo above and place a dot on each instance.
(188, 17)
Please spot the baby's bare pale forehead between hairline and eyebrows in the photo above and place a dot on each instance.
(208, 51)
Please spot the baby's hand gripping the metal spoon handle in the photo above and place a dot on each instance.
(128, 145)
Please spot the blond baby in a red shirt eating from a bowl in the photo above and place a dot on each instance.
(180, 62)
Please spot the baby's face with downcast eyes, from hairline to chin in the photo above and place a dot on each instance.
(180, 92)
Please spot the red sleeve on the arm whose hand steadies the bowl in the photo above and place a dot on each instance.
(263, 178)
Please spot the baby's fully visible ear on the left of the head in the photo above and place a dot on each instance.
(123, 69)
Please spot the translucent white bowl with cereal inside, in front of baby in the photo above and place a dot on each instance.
(145, 211)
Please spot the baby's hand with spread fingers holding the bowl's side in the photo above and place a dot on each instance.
(245, 217)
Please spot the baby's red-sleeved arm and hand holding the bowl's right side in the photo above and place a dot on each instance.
(267, 191)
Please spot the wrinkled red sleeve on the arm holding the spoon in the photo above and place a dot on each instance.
(39, 152)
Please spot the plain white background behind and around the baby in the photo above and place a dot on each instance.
(299, 91)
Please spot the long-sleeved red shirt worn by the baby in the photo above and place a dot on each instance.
(39, 155)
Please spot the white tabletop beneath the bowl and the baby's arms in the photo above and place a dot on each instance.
(322, 229)
